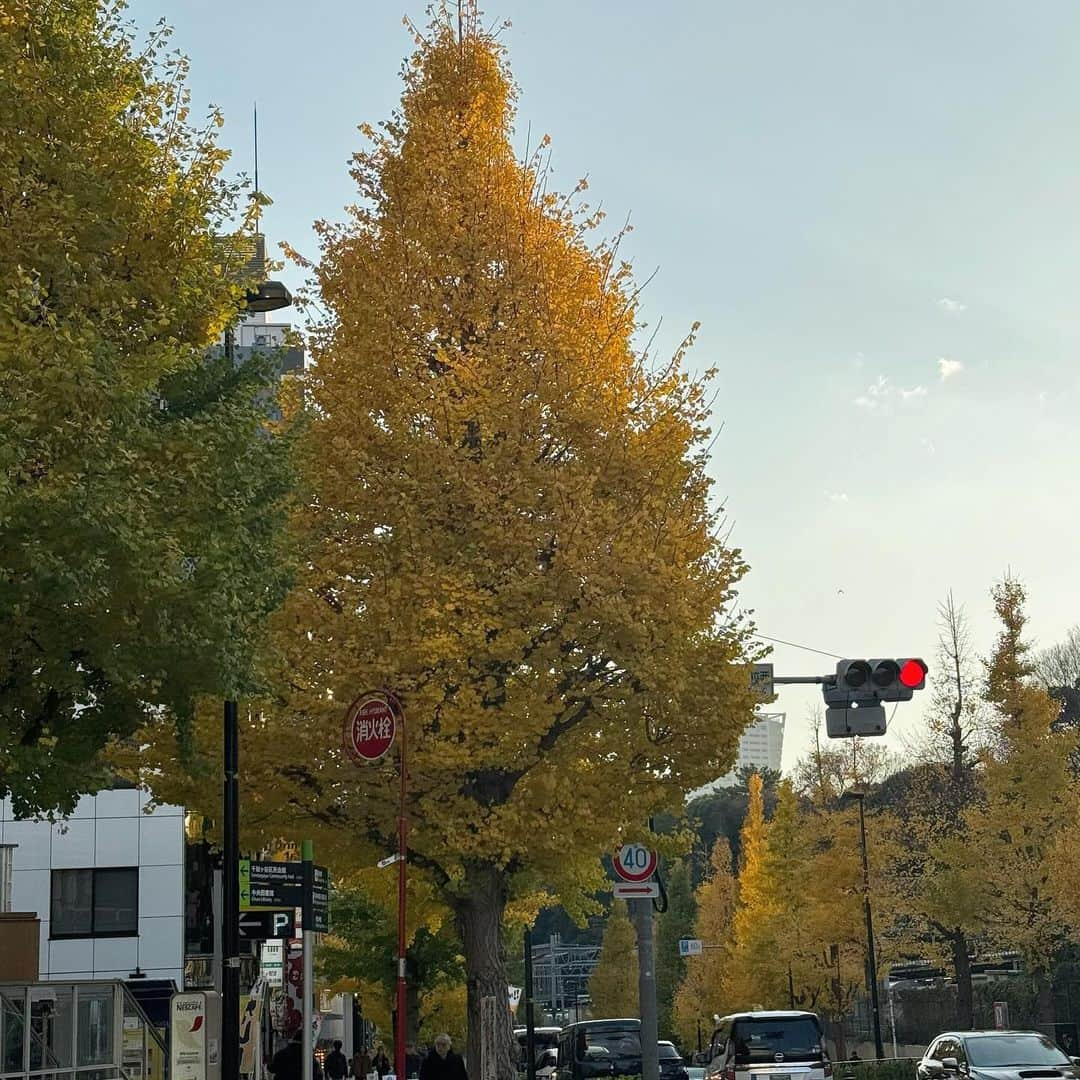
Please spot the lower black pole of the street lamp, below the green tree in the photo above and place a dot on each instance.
(231, 898)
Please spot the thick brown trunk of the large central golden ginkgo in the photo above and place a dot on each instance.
(480, 913)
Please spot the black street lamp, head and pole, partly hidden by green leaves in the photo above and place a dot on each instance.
(269, 296)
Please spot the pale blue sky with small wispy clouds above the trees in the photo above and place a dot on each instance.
(870, 206)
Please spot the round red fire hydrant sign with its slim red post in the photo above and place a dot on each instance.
(371, 727)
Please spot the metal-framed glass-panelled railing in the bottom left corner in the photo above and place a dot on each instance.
(92, 1031)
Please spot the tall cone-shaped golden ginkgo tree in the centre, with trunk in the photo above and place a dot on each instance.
(509, 524)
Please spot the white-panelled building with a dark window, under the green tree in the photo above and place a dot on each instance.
(107, 885)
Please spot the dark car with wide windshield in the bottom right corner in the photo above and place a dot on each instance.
(995, 1056)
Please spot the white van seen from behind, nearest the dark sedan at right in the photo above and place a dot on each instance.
(768, 1046)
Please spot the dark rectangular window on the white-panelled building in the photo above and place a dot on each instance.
(96, 903)
